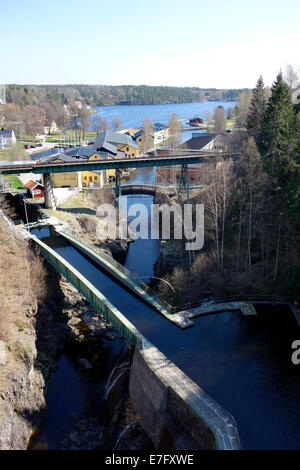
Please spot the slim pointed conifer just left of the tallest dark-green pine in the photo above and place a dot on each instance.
(256, 111)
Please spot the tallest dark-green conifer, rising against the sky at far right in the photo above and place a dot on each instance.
(278, 134)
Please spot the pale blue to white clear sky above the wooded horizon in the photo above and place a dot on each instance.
(209, 44)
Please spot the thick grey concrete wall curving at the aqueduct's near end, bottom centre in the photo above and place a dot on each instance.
(173, 410)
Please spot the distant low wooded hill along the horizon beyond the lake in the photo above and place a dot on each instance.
(101, 95)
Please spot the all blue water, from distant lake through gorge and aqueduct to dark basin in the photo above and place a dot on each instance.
(244, 363)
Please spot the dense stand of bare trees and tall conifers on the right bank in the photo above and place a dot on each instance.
(252, 211)
